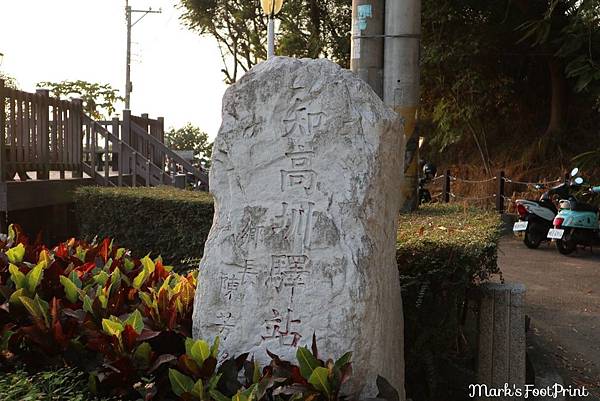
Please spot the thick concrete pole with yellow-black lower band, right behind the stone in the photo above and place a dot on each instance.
(401, 83)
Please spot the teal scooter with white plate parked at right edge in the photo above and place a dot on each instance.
(576, 223)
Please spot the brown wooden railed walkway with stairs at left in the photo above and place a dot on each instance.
(50, 146)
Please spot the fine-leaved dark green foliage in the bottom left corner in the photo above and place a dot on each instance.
(59, 384)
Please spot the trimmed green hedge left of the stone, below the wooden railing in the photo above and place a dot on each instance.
(162, 220)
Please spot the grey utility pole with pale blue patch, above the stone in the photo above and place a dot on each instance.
(368, 28)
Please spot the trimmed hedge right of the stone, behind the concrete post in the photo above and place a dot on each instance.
(443, 251)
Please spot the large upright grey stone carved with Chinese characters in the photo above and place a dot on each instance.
(306, 176)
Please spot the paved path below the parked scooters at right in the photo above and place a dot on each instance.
(563, 301)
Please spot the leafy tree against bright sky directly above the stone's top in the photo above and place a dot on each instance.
(309, 28)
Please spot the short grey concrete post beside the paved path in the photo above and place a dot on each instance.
(502, 343)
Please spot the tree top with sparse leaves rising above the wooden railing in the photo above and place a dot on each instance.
(98, 99)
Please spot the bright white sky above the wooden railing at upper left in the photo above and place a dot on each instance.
(175, 73)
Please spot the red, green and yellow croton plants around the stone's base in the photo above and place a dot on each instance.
(127, 323)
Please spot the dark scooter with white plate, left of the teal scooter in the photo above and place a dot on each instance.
(536, 217)
